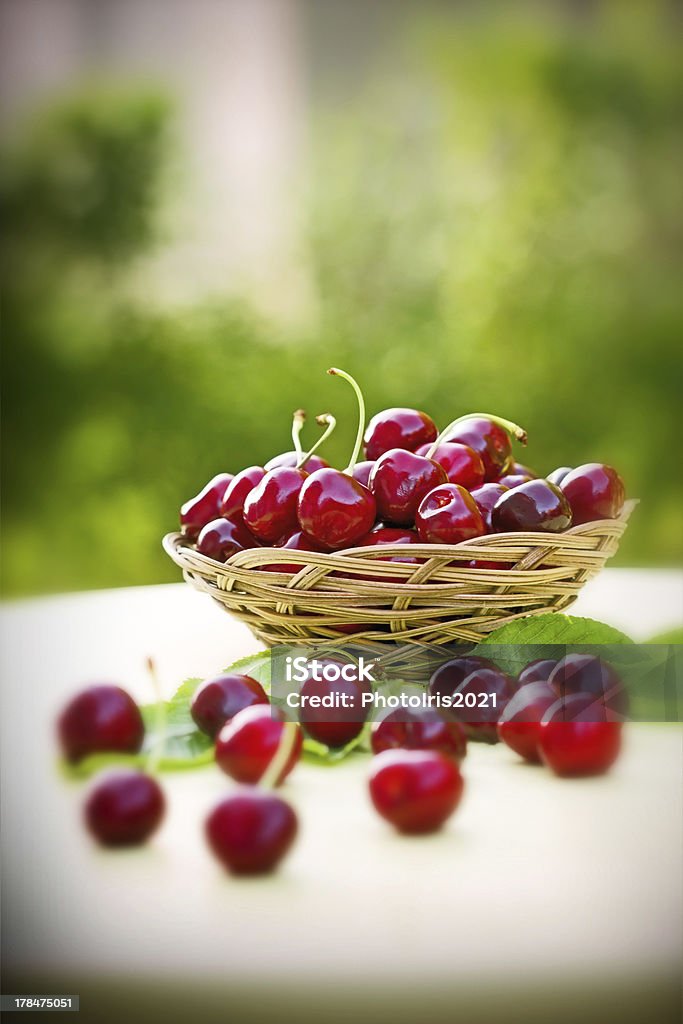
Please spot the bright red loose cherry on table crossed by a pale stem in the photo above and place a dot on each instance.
(247, 745)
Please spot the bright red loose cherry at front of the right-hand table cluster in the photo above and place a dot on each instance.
(580, 746)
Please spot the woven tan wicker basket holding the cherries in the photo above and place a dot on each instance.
(358, 594)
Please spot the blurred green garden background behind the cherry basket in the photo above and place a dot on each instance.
(484, 212)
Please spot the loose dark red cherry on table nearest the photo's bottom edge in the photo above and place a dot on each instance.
(251, 831)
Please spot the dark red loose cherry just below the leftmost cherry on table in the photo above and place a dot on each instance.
(124, 808)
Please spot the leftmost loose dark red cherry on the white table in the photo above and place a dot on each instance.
(100, 720)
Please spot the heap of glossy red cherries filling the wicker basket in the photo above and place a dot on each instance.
(416, 486)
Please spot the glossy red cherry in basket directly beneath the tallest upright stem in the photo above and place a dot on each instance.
(335, 509)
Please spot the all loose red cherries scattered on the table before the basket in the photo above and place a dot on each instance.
(567, 714)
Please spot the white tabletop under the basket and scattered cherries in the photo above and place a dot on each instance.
(580, 879)
